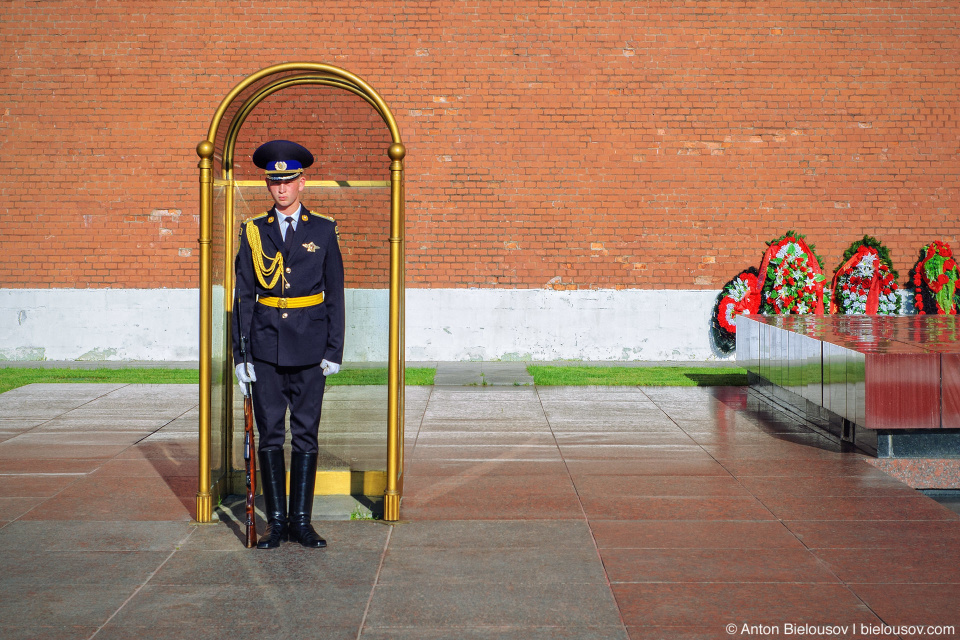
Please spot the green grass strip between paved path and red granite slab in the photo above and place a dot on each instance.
(638, 376)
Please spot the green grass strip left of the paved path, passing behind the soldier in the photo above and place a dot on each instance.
(13, 377)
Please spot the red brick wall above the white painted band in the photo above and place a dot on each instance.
(569, 144)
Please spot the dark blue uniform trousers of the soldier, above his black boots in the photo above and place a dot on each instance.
(278, 388)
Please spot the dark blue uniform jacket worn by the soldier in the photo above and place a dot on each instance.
(292, 337)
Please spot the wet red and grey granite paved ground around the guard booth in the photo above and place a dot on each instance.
(528, 512)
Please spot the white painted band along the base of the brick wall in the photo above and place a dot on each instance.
(441, 324)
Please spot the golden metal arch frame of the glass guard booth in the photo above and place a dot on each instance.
(216, 155)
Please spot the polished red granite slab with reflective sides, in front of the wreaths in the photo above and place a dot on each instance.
(879, 372)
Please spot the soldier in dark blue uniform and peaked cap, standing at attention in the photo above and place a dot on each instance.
(289, 278)
